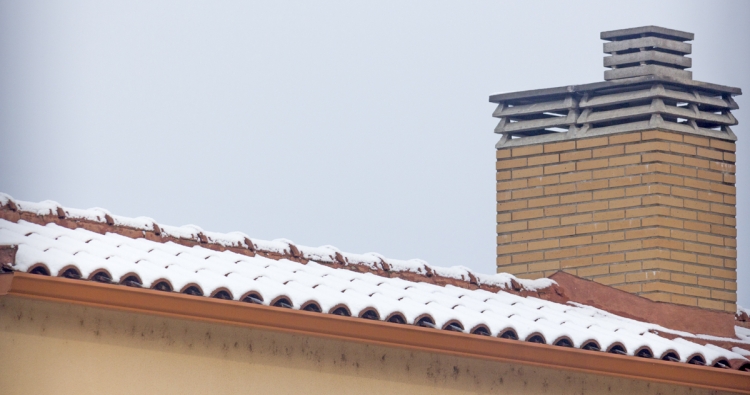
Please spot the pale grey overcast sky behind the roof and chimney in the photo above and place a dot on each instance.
(365, 125)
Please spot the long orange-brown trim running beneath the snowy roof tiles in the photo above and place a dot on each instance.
(411, 337)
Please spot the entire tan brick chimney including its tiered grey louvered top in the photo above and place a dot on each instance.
(629, 182)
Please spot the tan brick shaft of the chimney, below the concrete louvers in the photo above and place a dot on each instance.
(652, 213)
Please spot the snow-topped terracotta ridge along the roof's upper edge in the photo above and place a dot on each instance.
(101, 221)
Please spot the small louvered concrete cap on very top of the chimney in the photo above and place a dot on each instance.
(648, 50)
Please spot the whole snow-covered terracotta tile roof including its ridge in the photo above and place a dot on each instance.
(58, 241)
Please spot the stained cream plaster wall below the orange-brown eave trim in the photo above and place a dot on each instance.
(56, 348)
